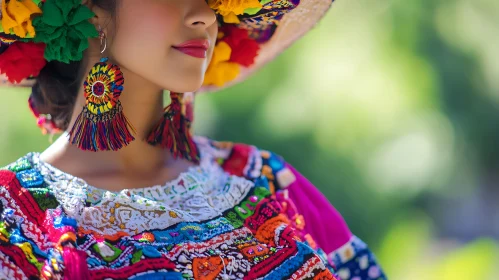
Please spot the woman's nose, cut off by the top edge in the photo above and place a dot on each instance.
(199, 15)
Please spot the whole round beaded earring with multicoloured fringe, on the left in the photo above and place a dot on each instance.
(102, 126)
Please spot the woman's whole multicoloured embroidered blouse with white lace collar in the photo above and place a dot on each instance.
(242, 213)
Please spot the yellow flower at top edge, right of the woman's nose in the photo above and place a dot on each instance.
(230, 9)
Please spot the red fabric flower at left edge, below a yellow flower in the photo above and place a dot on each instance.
(22, 60)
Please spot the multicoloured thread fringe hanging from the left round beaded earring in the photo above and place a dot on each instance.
(110, 131)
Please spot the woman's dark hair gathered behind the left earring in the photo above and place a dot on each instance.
(57, 85)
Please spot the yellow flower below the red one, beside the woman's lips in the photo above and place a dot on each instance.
(220, 70)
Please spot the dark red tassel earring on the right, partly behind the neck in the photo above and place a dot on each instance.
(173, 131)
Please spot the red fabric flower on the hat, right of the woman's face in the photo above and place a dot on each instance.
(244, 49)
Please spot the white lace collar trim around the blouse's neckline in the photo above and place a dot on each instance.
(201, 193)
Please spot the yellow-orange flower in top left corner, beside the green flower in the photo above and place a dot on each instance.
(16, 17)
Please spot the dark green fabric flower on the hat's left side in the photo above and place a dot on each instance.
(65, 28)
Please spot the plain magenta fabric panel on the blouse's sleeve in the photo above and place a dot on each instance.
(322, 221)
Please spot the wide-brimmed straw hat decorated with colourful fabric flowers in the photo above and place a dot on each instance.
(251, 33)
